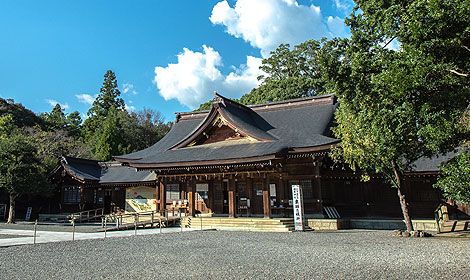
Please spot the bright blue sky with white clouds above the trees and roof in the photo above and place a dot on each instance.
(169, 56)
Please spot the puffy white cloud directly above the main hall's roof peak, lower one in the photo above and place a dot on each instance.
(196, 75)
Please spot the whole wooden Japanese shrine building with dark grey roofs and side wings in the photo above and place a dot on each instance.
(237, 161)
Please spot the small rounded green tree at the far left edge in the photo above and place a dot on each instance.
(20, 170)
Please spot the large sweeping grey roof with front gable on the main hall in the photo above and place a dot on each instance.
(279, 128)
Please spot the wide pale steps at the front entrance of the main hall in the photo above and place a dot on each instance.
(240, 224)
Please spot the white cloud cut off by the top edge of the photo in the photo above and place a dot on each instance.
(266, 24)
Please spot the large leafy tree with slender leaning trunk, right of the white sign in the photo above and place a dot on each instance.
(398, 106)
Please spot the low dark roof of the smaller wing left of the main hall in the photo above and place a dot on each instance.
(94, 172)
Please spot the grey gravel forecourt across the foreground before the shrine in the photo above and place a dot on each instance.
(354, 254)
